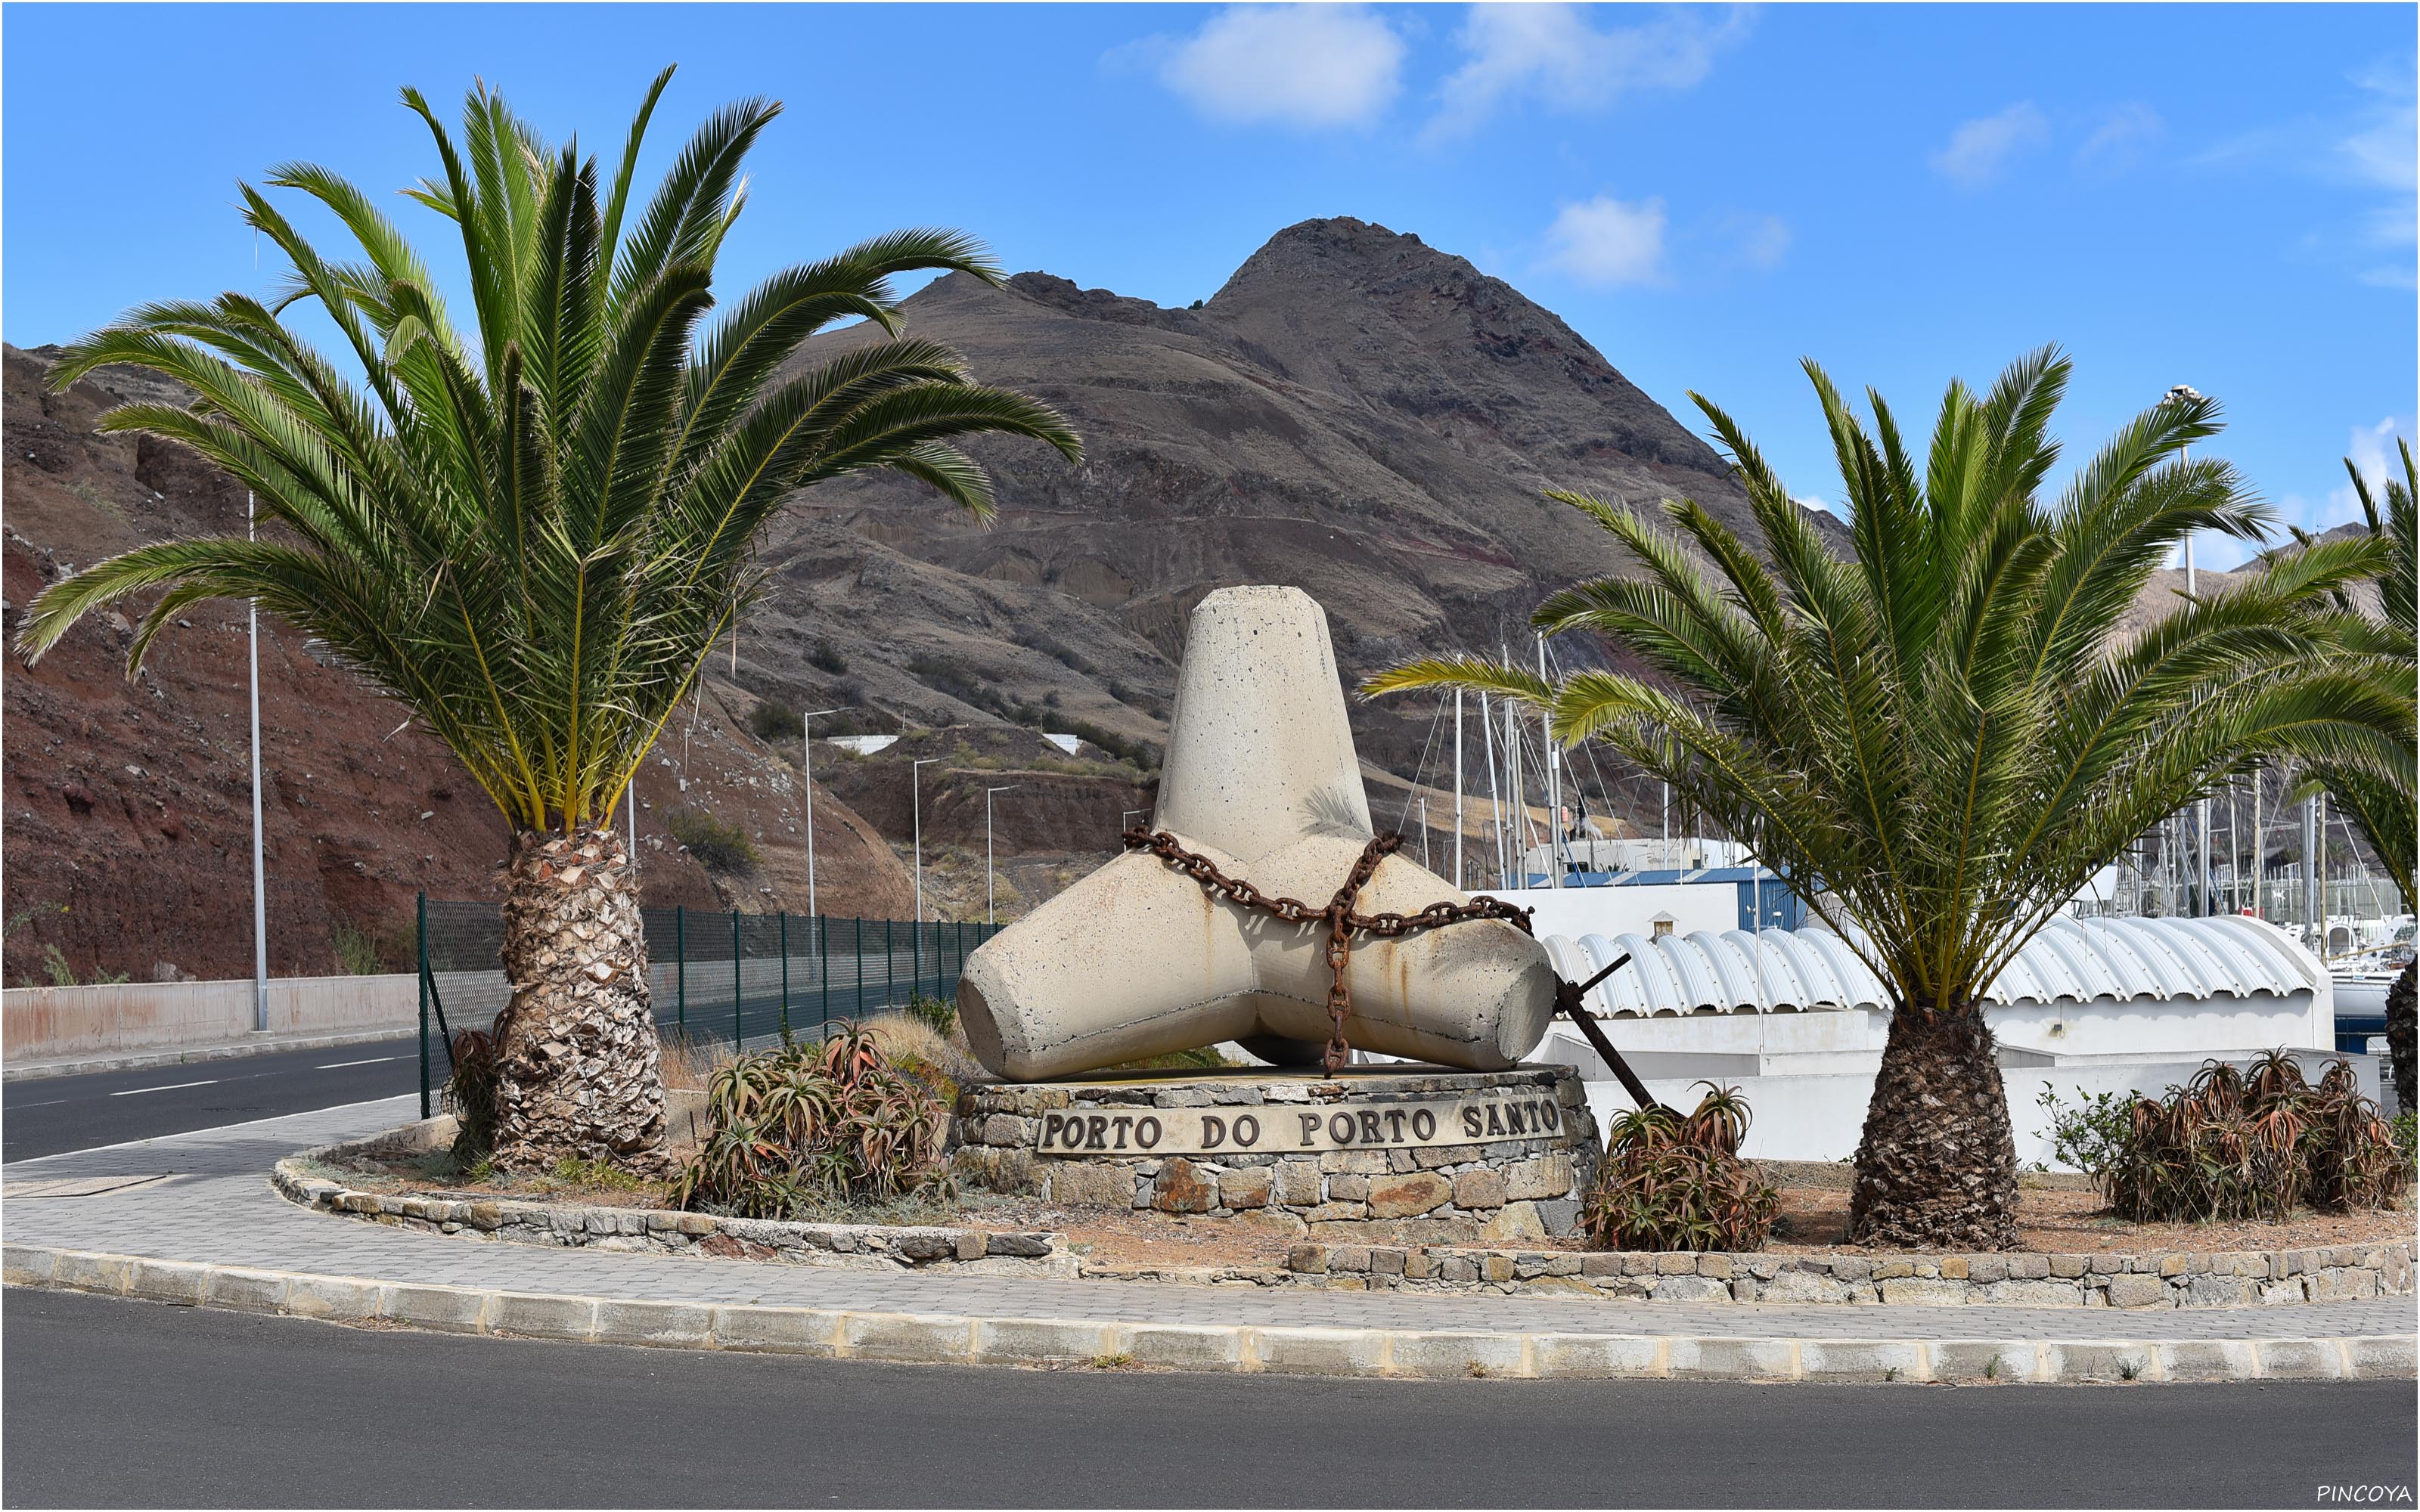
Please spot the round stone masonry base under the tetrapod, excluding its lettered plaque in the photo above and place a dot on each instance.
(1444, 1194)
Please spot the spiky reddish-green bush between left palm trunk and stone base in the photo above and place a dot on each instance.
(805, 1126)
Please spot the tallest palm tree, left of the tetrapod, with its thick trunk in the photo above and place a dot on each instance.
(534, 531)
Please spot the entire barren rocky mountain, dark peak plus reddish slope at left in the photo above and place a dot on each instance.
(1354, 412)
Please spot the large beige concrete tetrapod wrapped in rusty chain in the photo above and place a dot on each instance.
(1262, 780)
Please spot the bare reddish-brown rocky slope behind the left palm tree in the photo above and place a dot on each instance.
(129, 804)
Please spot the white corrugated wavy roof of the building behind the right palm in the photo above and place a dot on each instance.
(1787, 971)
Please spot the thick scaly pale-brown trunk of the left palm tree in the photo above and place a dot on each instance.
(580, 1063)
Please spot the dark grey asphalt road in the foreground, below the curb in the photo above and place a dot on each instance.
(113, 1402)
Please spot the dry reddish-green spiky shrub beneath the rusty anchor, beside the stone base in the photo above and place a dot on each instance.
(1678, 1184)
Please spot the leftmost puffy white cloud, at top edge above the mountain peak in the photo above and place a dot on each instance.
(1286, 67)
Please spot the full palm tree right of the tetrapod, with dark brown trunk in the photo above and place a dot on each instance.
(1942, 737)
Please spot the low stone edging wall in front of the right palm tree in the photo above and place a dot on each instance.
(2249, 1279)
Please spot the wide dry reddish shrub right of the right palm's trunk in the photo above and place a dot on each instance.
(2259, 1143)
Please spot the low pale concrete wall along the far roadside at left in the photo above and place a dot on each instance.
(50, 1022)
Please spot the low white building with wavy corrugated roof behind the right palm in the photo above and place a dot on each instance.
(1797, 1022)
